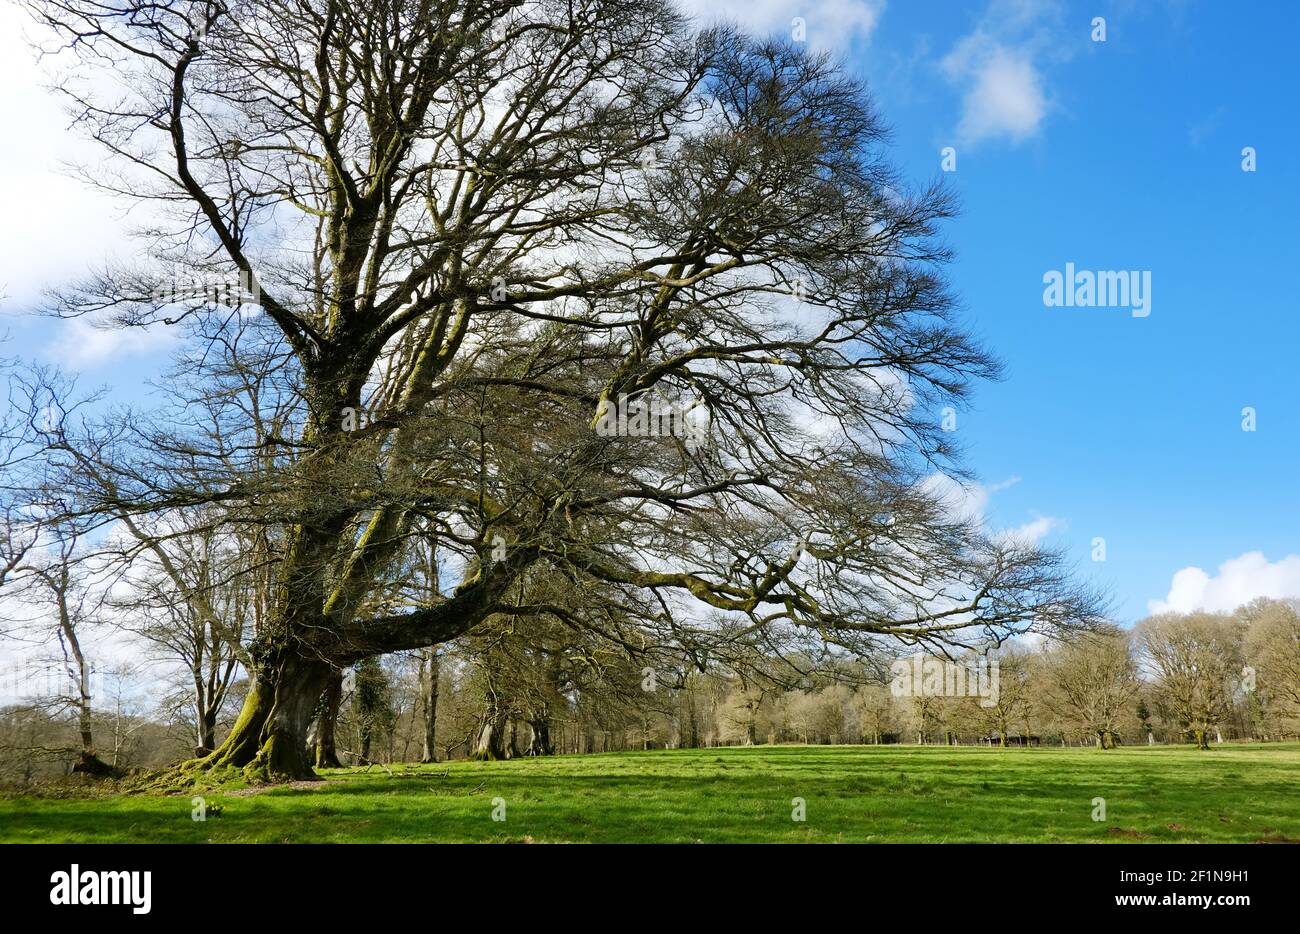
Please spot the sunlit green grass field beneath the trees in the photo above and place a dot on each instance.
(1233, 794)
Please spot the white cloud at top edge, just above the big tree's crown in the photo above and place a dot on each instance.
(830, 24)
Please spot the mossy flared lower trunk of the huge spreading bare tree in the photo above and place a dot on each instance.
(268, 741)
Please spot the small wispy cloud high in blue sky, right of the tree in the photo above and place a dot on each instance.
(999, 66)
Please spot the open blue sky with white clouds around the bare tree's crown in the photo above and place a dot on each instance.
(1124, 154)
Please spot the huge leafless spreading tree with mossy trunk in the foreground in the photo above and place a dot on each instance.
(497, 252)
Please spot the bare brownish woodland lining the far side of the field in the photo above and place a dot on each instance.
(1230, 677)
